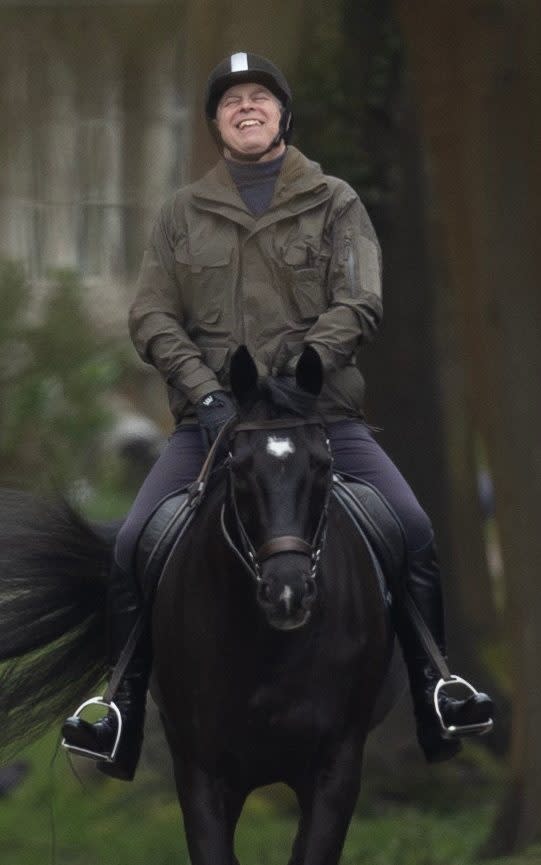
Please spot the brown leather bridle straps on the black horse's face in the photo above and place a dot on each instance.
(250, 557)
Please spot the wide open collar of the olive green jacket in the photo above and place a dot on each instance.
(301, 185)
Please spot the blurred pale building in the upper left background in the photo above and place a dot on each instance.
(94, 135)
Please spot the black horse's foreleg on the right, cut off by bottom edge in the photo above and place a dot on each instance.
(327, 801)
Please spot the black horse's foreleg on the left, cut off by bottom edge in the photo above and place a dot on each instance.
(211, 810)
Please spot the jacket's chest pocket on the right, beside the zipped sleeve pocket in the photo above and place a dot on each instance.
(304, 273)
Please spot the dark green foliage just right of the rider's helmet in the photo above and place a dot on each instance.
(345, 92)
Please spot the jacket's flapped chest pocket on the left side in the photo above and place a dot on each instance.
(203, 276)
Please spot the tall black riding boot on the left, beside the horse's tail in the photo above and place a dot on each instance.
(130, 697)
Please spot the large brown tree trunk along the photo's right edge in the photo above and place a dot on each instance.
(478, 75)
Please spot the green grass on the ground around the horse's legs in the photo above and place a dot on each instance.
(106, 822)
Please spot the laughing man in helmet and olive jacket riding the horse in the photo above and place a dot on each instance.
(265, 251)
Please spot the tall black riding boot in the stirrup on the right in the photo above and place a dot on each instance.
(424, 587)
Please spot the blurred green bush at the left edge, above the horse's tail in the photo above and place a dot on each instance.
(54, 370)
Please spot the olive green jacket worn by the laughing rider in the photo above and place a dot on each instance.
(214, 277)
